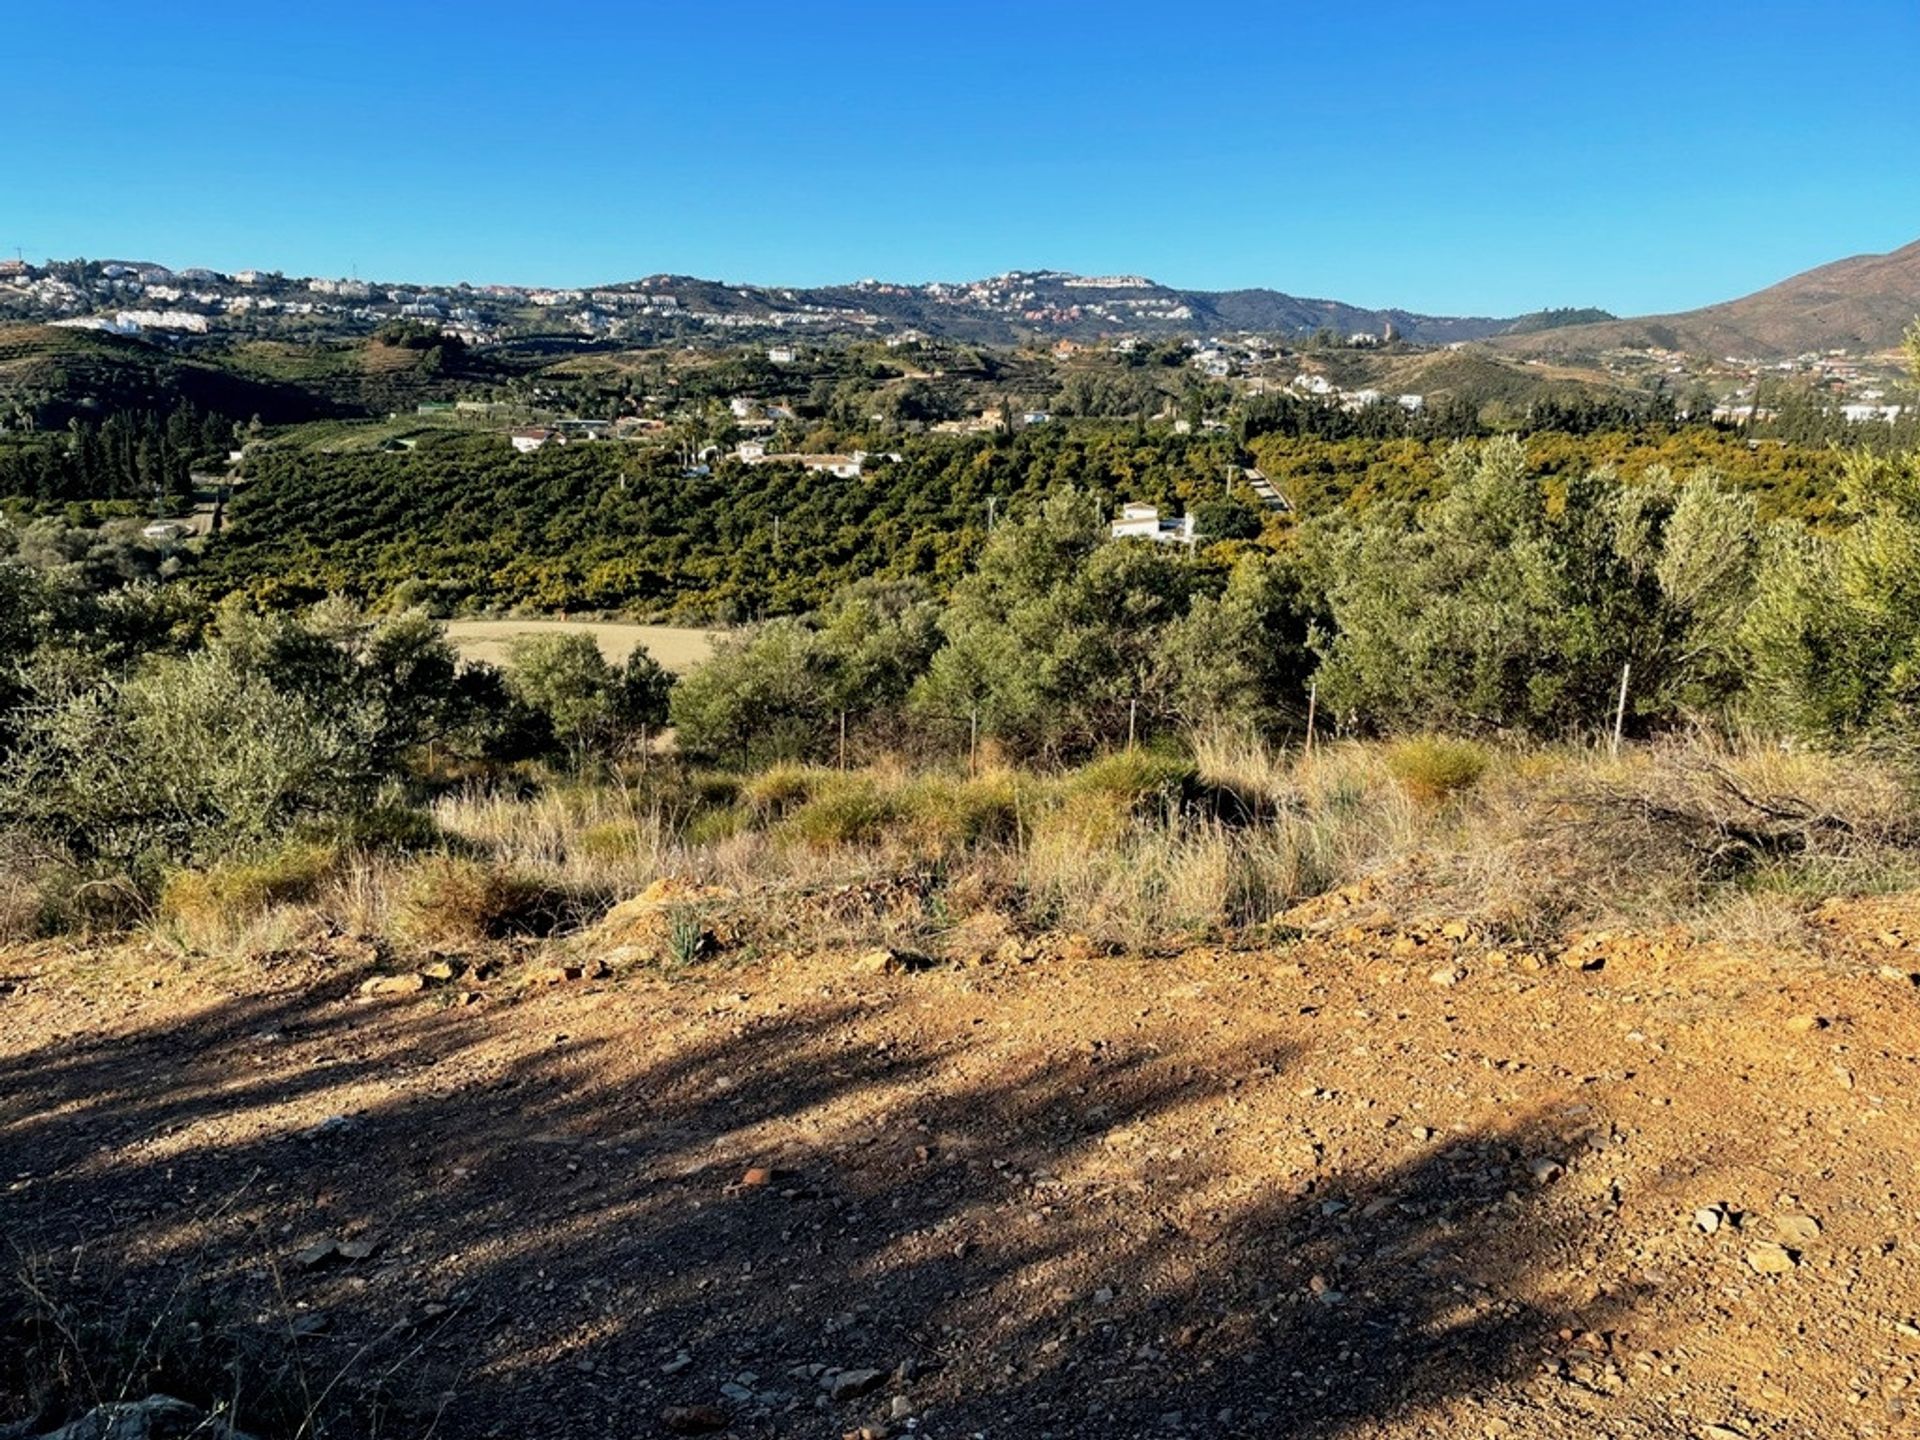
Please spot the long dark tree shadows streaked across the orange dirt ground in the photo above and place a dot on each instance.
(569, 1239)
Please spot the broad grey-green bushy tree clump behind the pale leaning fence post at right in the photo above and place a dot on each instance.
(1510, 606)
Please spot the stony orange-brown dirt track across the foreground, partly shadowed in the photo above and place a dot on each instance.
(1280, 1193)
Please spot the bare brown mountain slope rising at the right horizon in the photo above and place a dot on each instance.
(1860, 304)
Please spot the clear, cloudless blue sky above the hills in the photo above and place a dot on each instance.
(1458, 158)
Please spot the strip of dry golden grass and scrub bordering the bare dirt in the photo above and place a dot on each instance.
(1136, 850)
